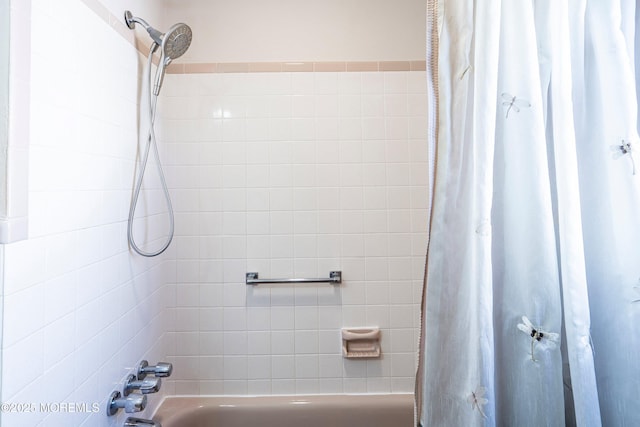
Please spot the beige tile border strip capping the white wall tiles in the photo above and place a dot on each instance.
(253, 67)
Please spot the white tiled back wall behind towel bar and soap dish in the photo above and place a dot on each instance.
(294, 175)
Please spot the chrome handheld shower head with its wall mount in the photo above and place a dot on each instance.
(174, 43)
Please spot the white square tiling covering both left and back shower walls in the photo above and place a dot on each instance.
(290, 174)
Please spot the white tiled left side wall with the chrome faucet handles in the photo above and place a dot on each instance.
(80, 311)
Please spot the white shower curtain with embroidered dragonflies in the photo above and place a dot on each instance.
(531, 309)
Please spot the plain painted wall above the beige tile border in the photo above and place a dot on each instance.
(302, 30)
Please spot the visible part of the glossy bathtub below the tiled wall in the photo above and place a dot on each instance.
(391, 410)
